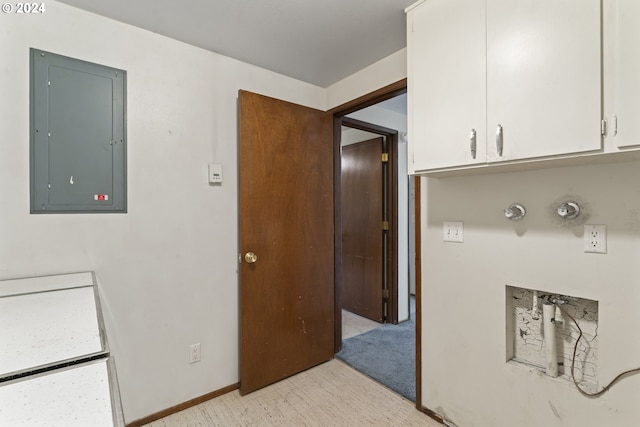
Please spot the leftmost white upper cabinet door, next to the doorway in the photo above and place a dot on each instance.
(446, 78)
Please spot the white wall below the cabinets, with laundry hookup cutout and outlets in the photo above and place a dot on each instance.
(465, 377)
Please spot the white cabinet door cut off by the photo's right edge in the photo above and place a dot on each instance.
(625, 34)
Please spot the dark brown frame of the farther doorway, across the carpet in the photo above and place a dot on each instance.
(391, 258)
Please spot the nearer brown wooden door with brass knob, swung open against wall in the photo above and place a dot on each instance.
(286, 221)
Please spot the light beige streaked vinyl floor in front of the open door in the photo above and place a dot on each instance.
(331, 394)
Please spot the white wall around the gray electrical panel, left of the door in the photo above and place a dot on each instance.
(167, 268)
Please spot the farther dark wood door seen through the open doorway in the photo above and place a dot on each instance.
(362, 233)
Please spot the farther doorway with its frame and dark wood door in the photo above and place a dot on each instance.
(369, 213)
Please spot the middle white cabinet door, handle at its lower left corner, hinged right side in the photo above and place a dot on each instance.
(544, 77)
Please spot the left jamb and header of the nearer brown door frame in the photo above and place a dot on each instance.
(382, 94)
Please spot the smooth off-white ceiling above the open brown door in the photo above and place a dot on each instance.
(316, 41)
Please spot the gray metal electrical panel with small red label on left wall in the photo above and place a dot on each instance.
(78, 136)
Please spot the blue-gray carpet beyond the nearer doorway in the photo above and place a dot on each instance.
(386, 354)
